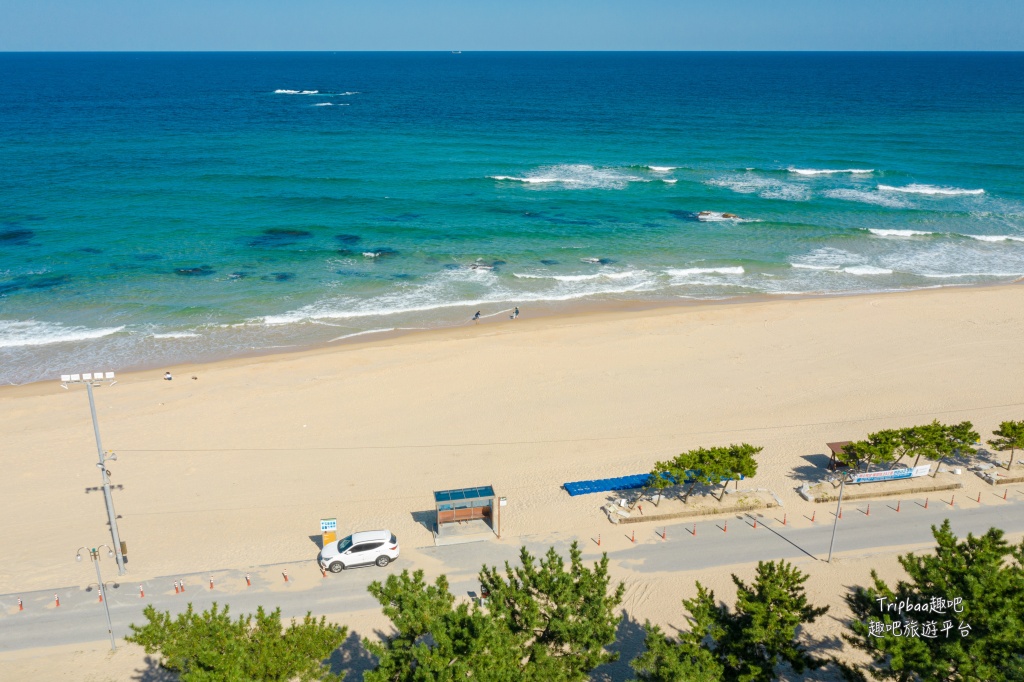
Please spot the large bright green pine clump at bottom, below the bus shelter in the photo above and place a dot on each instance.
(542, 621)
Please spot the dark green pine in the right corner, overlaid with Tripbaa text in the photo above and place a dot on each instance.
(988, 575)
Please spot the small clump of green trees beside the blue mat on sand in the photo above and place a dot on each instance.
(710, 466)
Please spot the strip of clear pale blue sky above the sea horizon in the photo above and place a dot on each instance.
(511, 25)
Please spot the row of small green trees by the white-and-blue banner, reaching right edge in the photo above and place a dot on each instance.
(930, 442)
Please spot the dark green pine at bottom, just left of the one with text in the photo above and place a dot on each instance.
(747, 645)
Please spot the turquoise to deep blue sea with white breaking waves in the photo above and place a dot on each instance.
(166, 207)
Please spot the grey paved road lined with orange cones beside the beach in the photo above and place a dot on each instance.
(80, 618)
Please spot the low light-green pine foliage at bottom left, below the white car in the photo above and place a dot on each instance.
(212, 648)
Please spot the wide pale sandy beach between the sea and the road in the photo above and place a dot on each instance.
(235, 468)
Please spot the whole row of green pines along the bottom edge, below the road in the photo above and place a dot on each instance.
(546, 621)
